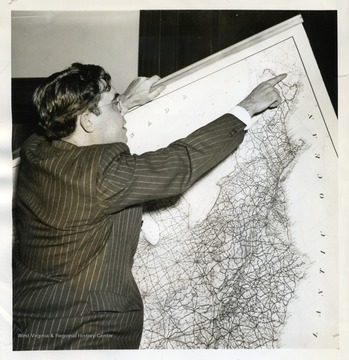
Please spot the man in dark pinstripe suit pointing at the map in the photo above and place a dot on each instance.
(79, 206)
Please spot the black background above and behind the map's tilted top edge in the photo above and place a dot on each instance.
(172, 39)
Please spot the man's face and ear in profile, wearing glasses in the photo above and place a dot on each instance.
(110, 124)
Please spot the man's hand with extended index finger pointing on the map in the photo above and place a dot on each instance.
(263, 97)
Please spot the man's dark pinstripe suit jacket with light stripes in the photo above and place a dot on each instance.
(79, 212)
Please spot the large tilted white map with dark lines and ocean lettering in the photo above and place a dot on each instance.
(247, 257)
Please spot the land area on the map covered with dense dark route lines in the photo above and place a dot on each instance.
(226, 282)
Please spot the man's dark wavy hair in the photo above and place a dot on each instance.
(66, 94)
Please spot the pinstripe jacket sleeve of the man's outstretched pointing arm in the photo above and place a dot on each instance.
(131, 179)
